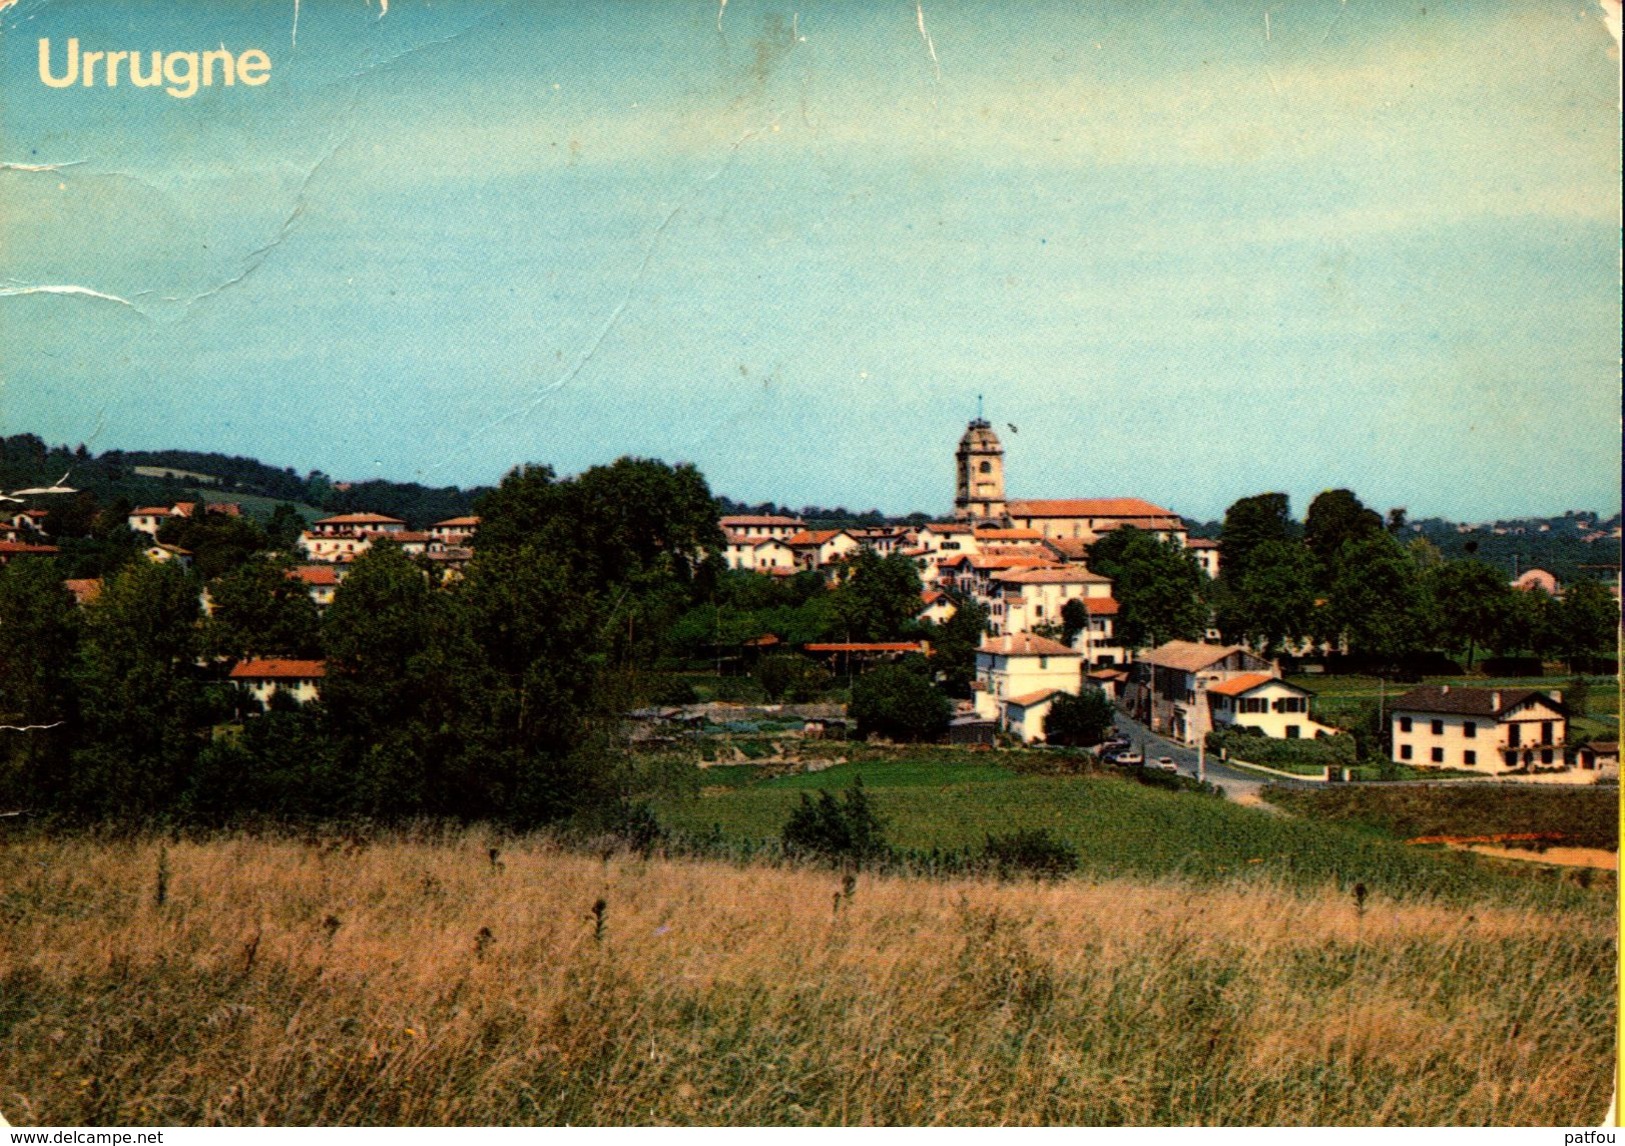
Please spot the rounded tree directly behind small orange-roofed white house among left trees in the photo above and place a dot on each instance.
(261, 612)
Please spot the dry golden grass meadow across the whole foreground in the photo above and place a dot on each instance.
(414, 983)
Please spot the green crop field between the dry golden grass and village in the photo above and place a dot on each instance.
(950, 801)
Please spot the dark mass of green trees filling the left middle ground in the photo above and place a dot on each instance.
(498, 695)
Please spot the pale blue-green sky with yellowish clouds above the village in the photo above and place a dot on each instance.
(1184, 251)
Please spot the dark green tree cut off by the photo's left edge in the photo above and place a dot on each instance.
(40, 630)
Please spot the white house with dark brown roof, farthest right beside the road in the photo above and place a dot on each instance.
(1480, 729)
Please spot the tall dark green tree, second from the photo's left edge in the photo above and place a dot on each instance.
(142, 705)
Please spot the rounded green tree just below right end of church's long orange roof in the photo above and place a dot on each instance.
(1158, 588)
